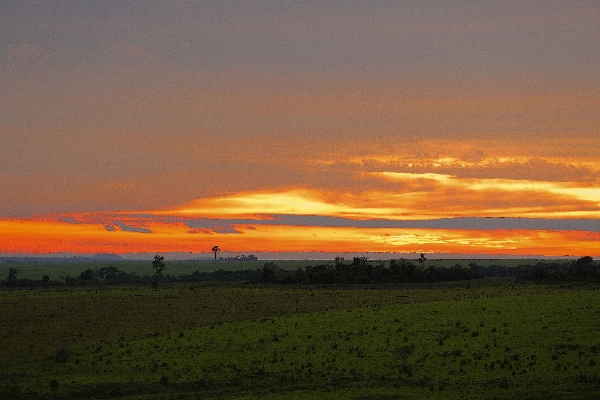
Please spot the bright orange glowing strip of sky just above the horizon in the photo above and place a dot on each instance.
(48, 237)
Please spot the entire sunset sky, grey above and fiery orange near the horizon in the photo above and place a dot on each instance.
(463, 127)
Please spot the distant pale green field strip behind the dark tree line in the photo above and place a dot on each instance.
(60, 270)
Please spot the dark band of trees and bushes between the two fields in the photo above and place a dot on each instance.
(339, 272)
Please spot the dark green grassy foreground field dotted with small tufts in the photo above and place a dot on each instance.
(478, 340)
